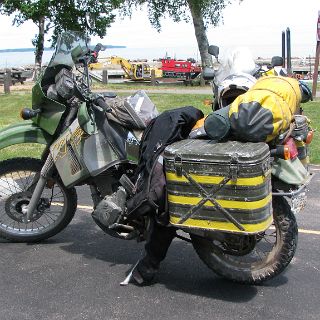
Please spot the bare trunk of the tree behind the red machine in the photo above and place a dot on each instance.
(200, 32)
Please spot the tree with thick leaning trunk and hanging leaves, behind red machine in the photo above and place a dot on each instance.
(202, 13)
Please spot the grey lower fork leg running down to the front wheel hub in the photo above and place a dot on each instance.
(44, 174)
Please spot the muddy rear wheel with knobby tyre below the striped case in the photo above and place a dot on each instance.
(253, 259)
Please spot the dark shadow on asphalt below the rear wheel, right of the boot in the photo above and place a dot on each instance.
(188, 274)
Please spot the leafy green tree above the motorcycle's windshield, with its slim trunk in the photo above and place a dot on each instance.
(58, 16)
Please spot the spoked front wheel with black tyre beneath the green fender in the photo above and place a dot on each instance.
(53, 213)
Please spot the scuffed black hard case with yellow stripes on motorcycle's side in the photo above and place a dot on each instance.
(219, 186)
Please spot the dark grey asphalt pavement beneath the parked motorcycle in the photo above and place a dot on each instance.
(76, 275)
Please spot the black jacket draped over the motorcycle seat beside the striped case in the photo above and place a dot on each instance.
(168, 127)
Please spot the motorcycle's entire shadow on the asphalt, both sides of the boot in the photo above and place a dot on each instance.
(182, 270)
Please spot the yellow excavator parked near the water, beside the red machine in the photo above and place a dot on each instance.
(136, 71)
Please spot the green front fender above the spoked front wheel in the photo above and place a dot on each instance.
(23, 132)
